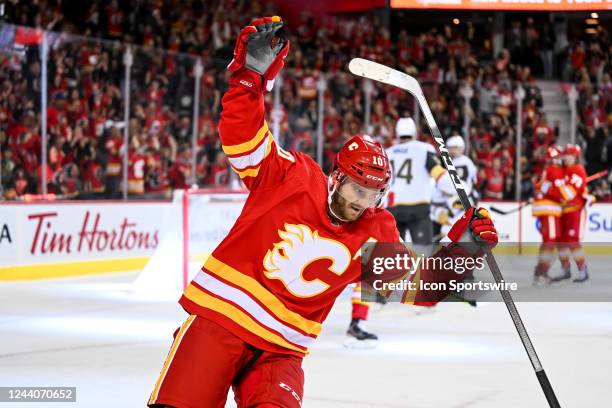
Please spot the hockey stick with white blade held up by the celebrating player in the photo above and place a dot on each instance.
(386, 75)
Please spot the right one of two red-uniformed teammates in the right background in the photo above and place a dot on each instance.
(573, 216)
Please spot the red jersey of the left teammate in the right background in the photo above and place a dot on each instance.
(550, 192)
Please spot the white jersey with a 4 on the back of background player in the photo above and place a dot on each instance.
(414, 164)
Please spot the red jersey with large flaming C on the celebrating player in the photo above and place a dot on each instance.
(274, 278)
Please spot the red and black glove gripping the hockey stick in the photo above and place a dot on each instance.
(475, 225)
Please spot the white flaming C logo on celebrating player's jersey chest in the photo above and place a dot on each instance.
(300, 246)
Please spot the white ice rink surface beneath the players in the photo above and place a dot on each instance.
(92, 333)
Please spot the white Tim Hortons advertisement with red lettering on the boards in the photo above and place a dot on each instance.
(33, 234)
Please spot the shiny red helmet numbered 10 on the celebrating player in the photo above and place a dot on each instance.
(365, 162)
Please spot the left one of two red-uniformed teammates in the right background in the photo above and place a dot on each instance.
(547, 206)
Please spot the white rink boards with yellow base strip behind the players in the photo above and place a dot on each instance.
(75, 238)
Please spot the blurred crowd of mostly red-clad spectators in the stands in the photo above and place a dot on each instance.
(86, 97)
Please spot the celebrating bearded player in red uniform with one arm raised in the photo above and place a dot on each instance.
(261, 297)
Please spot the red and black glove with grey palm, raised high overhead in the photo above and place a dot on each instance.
(259, 54)
